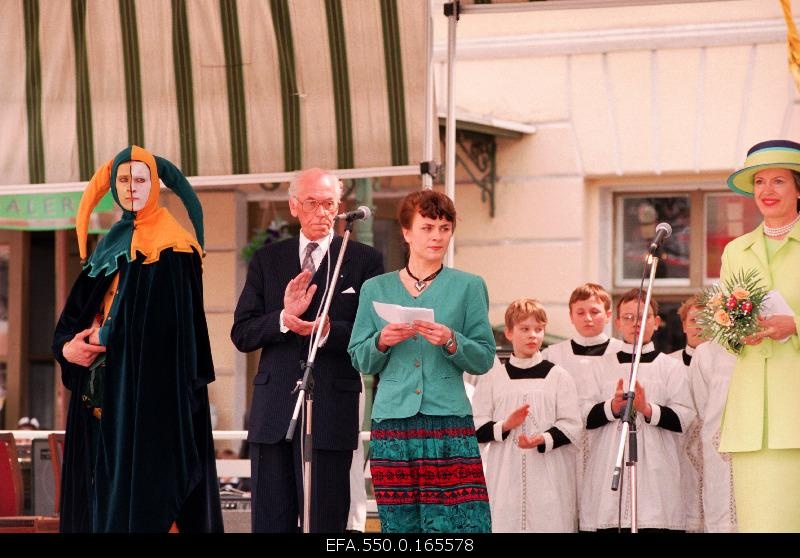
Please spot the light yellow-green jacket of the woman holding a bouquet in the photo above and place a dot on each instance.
(764, 393)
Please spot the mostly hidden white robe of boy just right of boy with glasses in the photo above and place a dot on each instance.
(691, 463)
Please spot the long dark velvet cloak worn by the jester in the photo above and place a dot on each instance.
(150, 460)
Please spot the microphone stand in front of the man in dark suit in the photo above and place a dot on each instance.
(304, 387)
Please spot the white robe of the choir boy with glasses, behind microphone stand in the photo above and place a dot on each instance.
(660, 502)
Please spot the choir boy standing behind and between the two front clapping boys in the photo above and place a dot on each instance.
(589, 312)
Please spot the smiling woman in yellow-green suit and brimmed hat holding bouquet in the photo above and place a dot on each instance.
(761, 424)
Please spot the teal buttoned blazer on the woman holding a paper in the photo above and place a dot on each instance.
(415, 376)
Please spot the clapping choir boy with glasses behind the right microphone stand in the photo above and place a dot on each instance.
(664, 410)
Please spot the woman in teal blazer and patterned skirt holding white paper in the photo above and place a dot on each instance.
(425, 463)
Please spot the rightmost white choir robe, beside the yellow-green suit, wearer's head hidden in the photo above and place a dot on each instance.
(709, 375)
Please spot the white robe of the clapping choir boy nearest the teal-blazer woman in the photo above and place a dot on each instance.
(530, 491)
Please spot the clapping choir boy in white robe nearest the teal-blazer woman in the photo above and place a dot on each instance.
(526, 413)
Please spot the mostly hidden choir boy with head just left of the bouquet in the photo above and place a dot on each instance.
(692, 457)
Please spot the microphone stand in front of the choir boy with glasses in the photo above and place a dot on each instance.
(628, 421)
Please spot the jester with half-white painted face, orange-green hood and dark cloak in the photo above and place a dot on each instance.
(134, 351)
